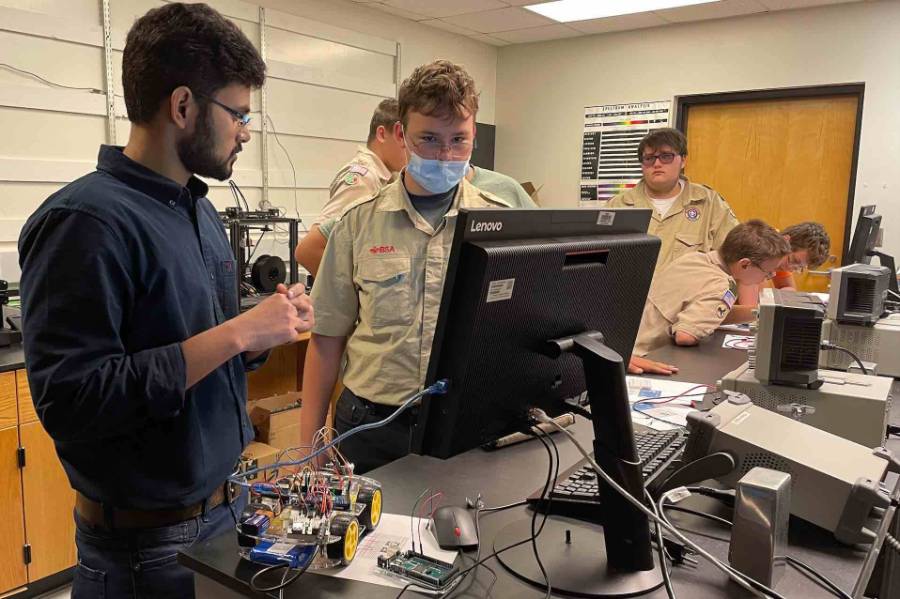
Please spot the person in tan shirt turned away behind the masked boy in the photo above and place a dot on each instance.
(371, 168)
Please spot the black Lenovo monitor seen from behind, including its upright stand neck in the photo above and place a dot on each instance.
(540, 307)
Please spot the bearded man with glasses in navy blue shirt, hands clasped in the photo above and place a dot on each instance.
(135, 349)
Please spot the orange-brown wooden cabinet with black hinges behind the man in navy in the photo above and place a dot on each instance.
(34, 492)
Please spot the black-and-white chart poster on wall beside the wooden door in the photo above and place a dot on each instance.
(609, 163)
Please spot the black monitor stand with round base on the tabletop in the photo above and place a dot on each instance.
(583, 559)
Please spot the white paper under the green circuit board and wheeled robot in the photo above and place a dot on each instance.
(393, 532)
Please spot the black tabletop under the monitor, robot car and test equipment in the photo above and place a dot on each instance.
(510, 474)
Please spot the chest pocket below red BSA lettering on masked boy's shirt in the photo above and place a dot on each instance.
(385, 297)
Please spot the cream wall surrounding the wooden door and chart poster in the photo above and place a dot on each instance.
(543, 88)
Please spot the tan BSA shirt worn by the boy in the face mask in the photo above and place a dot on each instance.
(380, 282)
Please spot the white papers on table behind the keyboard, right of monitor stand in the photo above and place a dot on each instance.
(669, 415)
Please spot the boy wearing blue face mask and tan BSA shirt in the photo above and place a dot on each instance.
(379, 284)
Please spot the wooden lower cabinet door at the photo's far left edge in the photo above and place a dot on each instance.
(12, 532)
